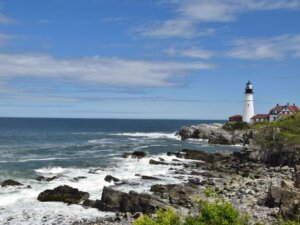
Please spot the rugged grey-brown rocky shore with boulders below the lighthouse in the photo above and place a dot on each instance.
(266, 191)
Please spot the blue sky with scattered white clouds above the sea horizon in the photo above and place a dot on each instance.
(166, 59)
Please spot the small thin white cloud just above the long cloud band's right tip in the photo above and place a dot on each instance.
(192, 53)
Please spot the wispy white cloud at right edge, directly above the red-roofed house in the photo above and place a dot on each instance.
(275, 48)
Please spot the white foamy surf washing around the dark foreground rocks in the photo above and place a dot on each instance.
(20, 205)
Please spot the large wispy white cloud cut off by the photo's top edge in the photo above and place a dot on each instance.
(191, 13)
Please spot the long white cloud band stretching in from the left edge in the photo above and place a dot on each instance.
(97, 70)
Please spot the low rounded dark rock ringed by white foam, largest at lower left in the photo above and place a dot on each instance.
(64, 194)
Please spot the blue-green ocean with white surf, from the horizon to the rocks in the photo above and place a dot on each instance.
(71, 148)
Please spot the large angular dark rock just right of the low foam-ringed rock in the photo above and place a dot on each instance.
(114, 200)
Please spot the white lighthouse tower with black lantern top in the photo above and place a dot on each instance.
(249, 106)
